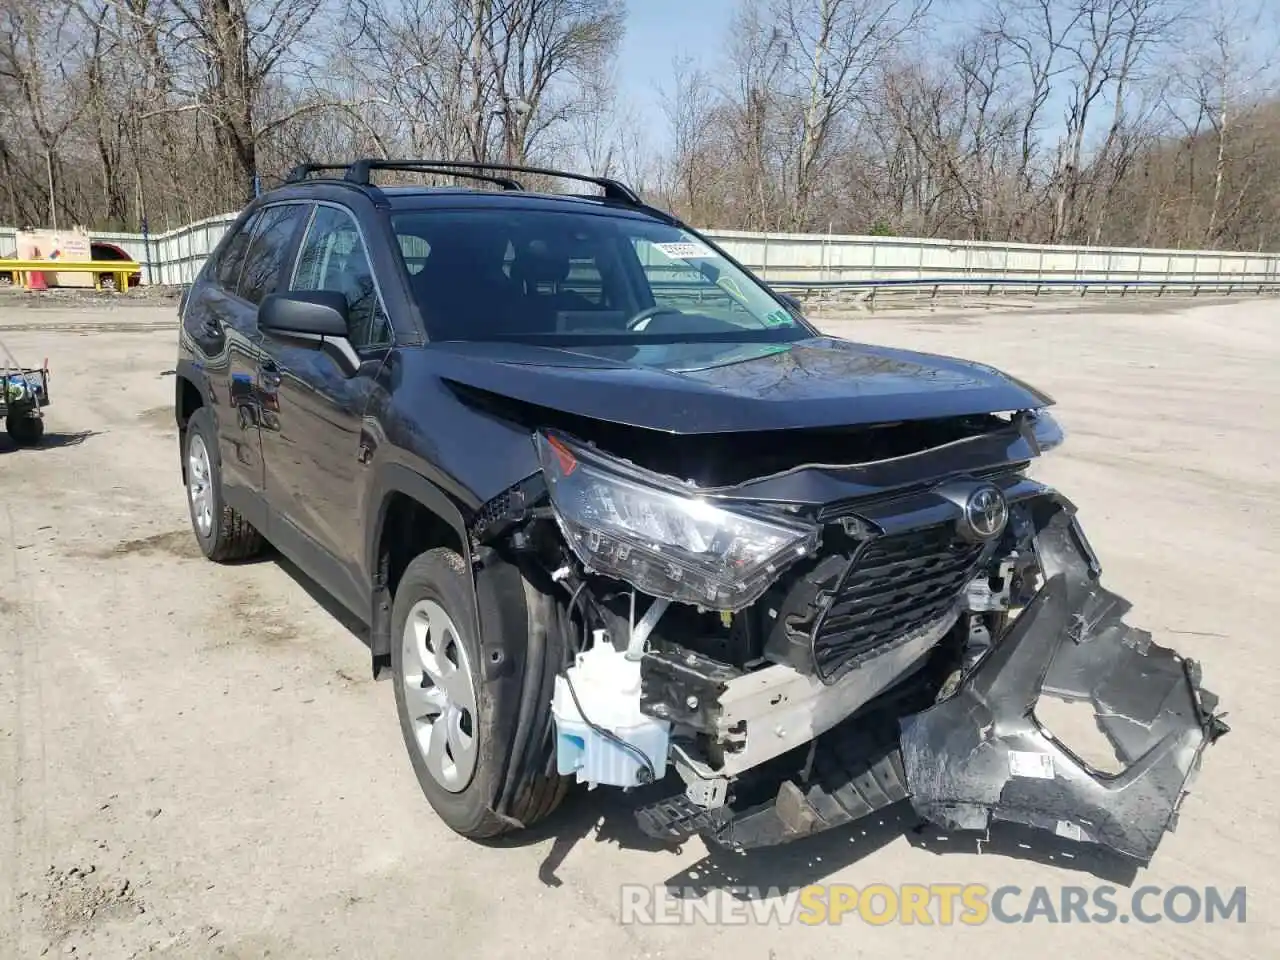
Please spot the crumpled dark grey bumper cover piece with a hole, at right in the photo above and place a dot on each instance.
(984, 756)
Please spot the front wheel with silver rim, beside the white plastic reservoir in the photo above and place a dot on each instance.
(433, 641)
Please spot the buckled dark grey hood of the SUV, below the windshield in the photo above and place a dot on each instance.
(693, 388)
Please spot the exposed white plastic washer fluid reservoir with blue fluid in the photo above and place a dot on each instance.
(609, 689)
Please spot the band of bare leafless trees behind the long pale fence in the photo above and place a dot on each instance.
(1142, 122)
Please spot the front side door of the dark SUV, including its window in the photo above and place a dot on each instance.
(319, 394)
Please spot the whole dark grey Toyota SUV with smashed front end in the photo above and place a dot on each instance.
(612, 511)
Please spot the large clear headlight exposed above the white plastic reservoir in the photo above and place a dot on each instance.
(638, 527)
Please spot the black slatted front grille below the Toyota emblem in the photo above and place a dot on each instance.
(894, 586)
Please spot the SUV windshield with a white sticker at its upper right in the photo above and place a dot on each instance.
(552, 277)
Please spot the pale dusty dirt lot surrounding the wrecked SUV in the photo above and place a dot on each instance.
(195, 764)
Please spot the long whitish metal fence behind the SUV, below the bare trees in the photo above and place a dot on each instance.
(817, 262)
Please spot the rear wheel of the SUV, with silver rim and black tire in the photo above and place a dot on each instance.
(222, 533)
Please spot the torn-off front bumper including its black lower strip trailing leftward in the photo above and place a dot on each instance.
(981, 755)
